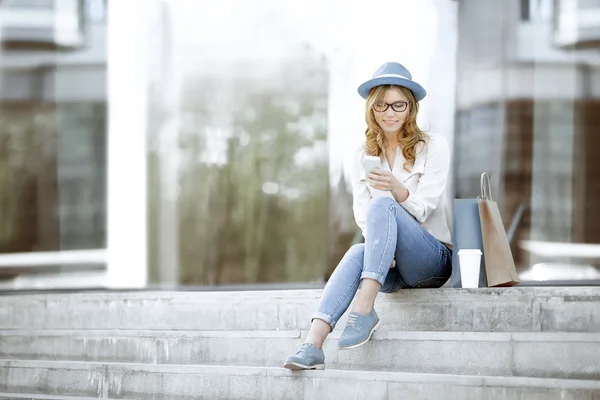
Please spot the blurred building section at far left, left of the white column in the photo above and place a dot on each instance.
(53, 112)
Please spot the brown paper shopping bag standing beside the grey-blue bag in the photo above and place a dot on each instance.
(499, 263)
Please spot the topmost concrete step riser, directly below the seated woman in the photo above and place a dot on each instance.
(571, 309)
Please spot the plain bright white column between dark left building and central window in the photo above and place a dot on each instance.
(128, 32)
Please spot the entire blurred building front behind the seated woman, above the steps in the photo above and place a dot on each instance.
(195, 159)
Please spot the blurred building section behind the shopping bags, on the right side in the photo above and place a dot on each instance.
(528, 90)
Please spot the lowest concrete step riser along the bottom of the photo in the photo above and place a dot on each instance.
(39, 379)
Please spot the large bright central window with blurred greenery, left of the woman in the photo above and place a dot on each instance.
(238, 166)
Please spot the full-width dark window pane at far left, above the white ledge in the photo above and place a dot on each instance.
(52, 174)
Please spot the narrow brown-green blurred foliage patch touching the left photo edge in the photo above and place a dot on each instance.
(27, 160)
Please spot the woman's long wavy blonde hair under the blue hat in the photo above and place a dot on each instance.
(409, 135)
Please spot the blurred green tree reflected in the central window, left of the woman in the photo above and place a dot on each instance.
(254, 183)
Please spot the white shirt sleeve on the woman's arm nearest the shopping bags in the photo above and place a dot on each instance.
(432, 183)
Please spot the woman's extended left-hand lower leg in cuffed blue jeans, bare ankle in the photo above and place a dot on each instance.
(337, 295)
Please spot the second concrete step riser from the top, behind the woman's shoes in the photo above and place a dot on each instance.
(548, 355)
